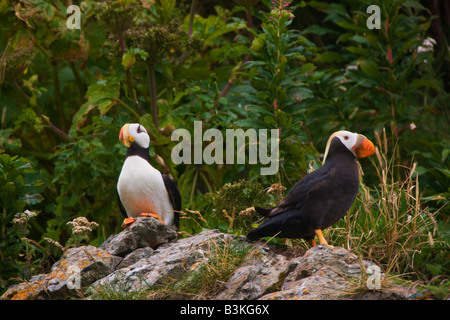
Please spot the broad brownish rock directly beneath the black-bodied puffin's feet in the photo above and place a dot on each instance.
(330, 273)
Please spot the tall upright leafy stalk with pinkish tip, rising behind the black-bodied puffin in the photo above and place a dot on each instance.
(278, 73)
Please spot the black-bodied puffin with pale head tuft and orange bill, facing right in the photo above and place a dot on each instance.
(320, 198)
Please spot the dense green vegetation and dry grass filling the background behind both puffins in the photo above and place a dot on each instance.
(308, 69)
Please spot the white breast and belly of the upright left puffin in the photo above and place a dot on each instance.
(141, 189)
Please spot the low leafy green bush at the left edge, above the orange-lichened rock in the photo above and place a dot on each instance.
(21, 187)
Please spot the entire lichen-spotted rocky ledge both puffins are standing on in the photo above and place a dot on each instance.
(147, 253)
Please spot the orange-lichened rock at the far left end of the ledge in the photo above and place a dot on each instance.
(76, 267)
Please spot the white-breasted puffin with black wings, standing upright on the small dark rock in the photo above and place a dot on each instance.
(141, 189)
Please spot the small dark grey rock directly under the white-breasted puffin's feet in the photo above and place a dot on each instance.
(144, 232)
